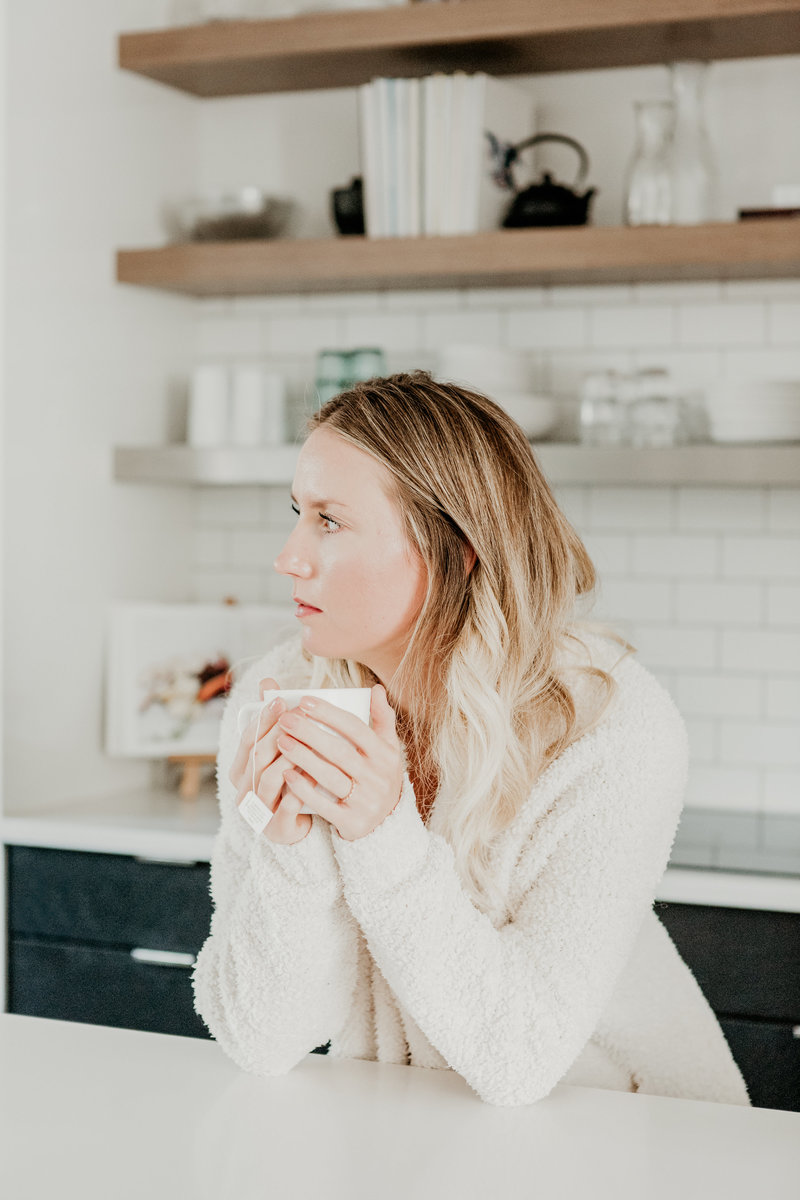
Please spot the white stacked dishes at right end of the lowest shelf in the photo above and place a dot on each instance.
(755, 411)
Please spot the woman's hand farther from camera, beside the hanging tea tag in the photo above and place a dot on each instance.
(262, 755)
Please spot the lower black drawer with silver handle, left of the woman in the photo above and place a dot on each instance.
(100, 986)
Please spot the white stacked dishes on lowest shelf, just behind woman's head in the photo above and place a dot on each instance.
(504, 376)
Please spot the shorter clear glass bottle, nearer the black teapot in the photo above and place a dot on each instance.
(648, 191)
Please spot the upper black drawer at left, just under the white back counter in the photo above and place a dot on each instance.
(107, 898)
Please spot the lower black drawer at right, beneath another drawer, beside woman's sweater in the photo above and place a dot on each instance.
(768, 1055)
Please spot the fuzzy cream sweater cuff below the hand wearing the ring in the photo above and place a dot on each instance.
(392, 853)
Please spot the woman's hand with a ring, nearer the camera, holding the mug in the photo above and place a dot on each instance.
(364, 769)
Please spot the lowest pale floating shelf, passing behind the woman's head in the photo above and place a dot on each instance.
(778, 465)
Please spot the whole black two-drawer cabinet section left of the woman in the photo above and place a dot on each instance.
(106, 939)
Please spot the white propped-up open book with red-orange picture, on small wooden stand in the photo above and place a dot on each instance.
(157, 655)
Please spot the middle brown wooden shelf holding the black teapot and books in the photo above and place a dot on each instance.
(757, 249)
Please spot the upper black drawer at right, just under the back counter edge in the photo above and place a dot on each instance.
(747, 962)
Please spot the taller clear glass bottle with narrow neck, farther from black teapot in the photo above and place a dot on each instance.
(693, 166)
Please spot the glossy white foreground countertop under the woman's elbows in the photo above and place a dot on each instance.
(89, 1112)
